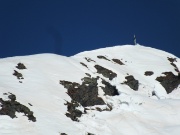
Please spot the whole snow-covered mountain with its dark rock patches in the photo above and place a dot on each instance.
(121, 90)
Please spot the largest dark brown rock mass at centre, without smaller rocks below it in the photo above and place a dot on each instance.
(86, 94)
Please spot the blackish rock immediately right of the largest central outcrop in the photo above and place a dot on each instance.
(109, 89)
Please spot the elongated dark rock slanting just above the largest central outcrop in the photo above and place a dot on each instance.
(105, 72)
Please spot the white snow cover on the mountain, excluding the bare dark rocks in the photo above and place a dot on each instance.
(133, 112)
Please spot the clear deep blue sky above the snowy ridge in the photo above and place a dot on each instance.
(67, 27)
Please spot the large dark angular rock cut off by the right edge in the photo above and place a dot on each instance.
(169, 81)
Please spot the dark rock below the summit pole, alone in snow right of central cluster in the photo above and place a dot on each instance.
(132, 82)
